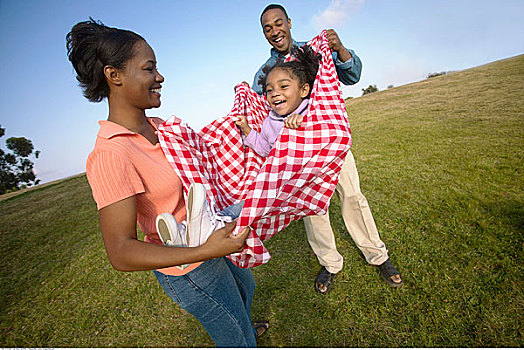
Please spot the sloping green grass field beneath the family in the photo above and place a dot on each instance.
(441, 163)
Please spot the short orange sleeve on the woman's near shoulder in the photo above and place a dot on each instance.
(112, 177)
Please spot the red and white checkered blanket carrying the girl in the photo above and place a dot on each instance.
(298, 177)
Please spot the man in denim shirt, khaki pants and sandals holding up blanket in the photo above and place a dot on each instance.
(356, 213)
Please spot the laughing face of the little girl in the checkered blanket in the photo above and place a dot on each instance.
(283, 91)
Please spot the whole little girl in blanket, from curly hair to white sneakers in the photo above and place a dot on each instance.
(287, 87)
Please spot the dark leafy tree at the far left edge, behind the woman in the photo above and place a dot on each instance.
(16, 169)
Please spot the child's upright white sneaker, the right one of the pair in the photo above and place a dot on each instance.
(201, 216)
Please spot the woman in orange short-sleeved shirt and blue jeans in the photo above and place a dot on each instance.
(132, 181)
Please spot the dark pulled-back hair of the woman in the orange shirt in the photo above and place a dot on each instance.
(90, 47)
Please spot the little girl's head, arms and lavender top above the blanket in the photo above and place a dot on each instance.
(287, 86)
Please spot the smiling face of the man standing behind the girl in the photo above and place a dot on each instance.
(277, 30)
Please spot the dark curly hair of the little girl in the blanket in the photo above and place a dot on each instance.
(304, 68)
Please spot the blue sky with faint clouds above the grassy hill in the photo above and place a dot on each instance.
(204, 48)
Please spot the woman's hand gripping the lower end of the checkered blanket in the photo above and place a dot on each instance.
(222, 242)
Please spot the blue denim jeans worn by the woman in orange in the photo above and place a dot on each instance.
(219, 295)
